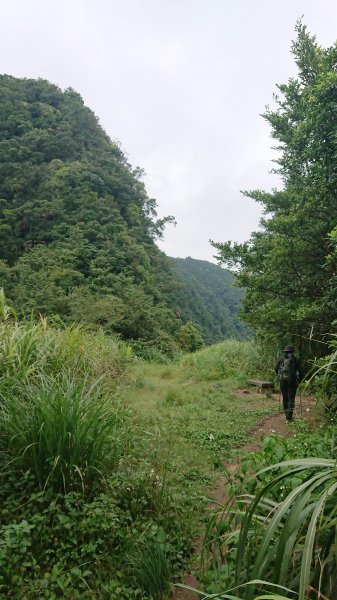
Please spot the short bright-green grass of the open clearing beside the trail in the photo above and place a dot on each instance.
(198, 423)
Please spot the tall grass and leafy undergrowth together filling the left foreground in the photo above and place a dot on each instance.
(79, 481)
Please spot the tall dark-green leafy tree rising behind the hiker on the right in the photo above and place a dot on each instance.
(289, 266)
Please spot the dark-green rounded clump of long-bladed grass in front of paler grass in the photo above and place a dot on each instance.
(65, 433)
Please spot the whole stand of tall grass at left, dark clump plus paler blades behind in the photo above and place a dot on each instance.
(59, 419)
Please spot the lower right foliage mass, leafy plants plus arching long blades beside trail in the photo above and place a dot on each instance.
(279, 524)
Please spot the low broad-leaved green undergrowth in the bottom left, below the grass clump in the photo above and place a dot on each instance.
(71, 546)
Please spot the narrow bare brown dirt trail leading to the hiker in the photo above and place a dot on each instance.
(273, 425)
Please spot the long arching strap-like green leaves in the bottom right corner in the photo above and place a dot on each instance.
(293, 542)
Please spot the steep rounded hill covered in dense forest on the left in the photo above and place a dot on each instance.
(77, 228)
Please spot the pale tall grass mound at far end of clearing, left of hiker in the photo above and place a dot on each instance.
(229, 359)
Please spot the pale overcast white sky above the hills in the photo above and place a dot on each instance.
(181, 84)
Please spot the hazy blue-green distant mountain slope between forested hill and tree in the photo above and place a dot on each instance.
(207, 296)
